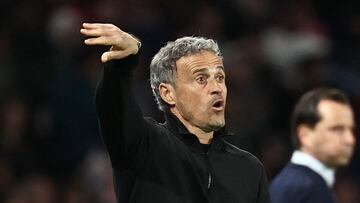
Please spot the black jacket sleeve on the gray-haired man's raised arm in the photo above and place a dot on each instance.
(123, 128)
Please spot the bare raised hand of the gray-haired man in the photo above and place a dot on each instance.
(122, 43)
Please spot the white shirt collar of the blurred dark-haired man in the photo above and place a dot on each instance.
(302, 158)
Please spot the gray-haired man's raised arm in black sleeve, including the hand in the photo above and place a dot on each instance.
(122, 125)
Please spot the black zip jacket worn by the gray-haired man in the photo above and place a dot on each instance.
(165, 163)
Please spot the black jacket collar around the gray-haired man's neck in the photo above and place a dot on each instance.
(178, 128)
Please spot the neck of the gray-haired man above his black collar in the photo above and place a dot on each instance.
(203, 137)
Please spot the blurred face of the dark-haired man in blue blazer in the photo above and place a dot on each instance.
(332, 140)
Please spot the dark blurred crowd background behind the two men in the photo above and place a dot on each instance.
(274, 50)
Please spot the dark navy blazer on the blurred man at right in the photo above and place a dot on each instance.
(299, 184)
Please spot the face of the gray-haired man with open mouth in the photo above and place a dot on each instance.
(200, 91)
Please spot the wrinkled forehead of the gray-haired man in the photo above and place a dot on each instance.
(204, 59)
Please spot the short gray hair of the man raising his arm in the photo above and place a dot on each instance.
(163, 64)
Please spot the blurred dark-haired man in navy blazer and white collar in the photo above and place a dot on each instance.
(322, 127)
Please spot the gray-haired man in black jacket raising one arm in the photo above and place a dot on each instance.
(185, 159)
